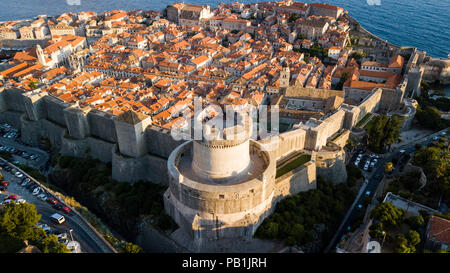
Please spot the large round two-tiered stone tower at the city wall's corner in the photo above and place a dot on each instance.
(220, 186)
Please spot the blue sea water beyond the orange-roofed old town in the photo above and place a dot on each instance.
(424, 24)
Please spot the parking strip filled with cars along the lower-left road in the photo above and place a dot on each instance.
(17, 187)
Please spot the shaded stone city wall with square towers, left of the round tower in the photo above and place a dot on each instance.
(133, 149)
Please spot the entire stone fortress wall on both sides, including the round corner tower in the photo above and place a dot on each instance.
(218, 189)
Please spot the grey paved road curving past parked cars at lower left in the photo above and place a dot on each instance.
(83, 233)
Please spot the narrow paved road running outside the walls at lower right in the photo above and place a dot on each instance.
(373, 180)
